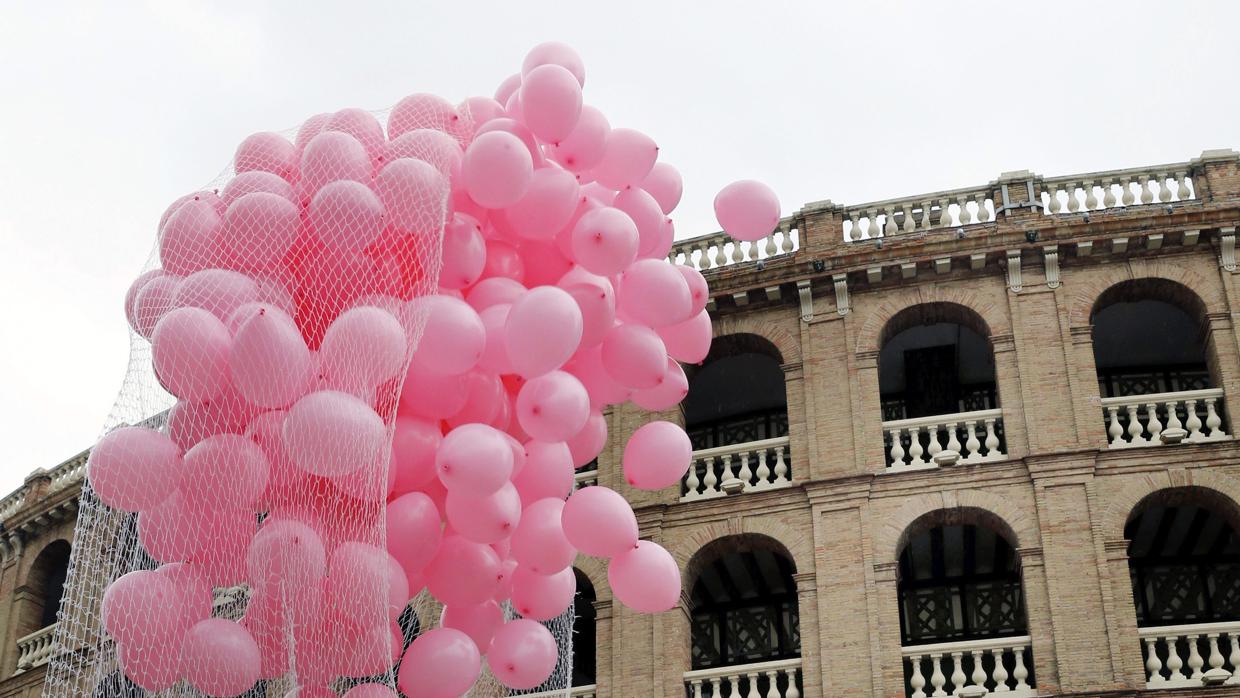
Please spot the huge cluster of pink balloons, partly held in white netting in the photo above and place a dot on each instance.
(391, 347)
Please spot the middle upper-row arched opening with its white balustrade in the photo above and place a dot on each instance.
(937, 386)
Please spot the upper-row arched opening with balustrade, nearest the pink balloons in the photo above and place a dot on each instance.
(736, 415)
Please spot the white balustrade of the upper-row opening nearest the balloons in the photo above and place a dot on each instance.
(759, 466)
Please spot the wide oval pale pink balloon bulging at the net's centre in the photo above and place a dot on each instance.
(333, 433)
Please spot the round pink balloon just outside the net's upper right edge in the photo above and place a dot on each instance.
(497, 170)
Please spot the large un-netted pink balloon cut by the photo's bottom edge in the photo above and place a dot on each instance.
(441, 664)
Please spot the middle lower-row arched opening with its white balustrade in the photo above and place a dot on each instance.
(962, 597)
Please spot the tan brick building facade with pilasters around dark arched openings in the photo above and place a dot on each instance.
(1030, 266)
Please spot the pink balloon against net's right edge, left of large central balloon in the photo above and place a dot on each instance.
(453, 338)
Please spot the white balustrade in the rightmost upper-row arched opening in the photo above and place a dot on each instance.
(1165, 418)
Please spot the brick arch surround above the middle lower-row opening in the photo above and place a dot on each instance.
(973, 506)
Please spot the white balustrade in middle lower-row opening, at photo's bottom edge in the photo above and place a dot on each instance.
(1003, 666)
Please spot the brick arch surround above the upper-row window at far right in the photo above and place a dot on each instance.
(1191, 286)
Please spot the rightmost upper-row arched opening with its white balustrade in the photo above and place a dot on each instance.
(1153, 350)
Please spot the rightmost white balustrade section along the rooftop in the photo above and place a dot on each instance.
(1099, 192)
